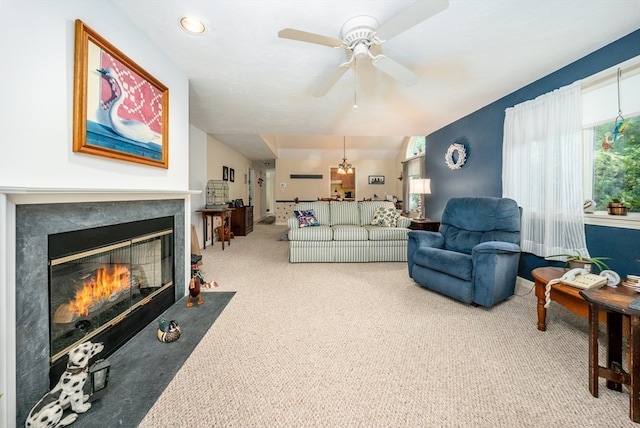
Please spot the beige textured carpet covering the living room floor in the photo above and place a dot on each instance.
(360, 345)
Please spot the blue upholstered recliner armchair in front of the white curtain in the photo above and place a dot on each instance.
(474, 257)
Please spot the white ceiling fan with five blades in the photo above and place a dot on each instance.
(362, 33)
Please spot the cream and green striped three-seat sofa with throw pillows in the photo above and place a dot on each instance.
(340, 231)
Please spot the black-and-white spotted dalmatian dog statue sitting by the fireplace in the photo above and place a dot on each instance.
(68, 392)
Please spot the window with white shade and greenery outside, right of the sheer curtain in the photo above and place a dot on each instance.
(611, 136)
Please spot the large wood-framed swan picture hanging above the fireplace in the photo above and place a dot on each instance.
(119, 110)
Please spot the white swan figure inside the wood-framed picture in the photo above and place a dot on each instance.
(127, 128)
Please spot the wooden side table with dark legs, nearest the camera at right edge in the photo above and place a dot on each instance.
(614, 302)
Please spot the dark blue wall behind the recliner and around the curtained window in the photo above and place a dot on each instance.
(481, 134)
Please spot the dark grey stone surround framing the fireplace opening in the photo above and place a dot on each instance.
(33, 225)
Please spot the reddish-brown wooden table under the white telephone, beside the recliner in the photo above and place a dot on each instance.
(564, 295)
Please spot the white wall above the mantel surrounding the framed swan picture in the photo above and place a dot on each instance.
(36, 118)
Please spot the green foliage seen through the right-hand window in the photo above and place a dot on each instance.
(617, 165)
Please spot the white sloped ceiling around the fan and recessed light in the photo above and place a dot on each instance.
(248, 86)
